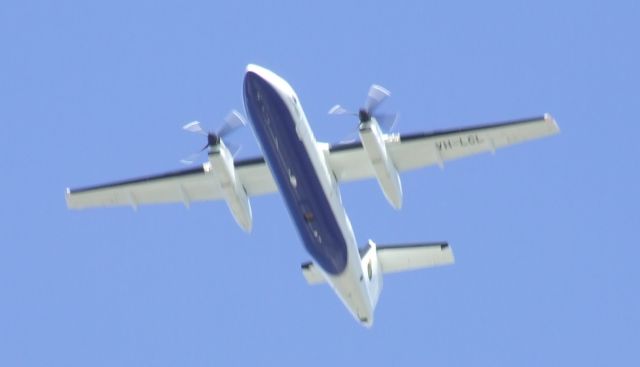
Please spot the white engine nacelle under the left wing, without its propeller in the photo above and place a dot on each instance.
(221, 165)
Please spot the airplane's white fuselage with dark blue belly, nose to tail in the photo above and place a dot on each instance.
(263, 93)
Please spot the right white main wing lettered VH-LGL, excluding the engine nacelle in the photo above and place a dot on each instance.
(349, 161)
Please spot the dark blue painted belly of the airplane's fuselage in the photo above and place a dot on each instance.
(287, 157)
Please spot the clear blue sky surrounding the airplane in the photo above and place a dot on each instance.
(545, 233)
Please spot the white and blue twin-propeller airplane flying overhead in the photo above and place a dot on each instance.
(307, 173)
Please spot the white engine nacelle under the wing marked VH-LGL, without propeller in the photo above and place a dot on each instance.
(386, 172)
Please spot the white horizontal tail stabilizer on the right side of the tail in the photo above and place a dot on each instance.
(397, 258)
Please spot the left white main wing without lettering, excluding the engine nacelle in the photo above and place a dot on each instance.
(184, 186)
